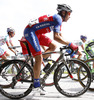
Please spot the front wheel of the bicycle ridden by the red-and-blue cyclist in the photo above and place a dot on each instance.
(68, 86)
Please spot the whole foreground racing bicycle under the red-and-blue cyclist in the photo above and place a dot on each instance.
(25, 86)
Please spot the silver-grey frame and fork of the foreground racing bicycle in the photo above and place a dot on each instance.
(42, 80)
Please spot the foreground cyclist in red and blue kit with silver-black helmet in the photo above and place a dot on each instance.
(34, 34)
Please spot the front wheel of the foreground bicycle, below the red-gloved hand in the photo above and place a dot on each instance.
(70, 85)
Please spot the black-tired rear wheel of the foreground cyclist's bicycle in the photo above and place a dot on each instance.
(21, 87)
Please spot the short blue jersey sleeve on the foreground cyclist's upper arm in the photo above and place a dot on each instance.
(57, 23)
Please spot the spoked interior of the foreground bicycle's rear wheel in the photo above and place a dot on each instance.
(12, 81)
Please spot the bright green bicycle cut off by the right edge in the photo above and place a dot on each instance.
(89, 60)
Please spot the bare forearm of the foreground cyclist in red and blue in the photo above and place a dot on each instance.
(58, 37)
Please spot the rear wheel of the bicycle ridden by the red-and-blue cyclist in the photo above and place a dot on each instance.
(19, 86)
